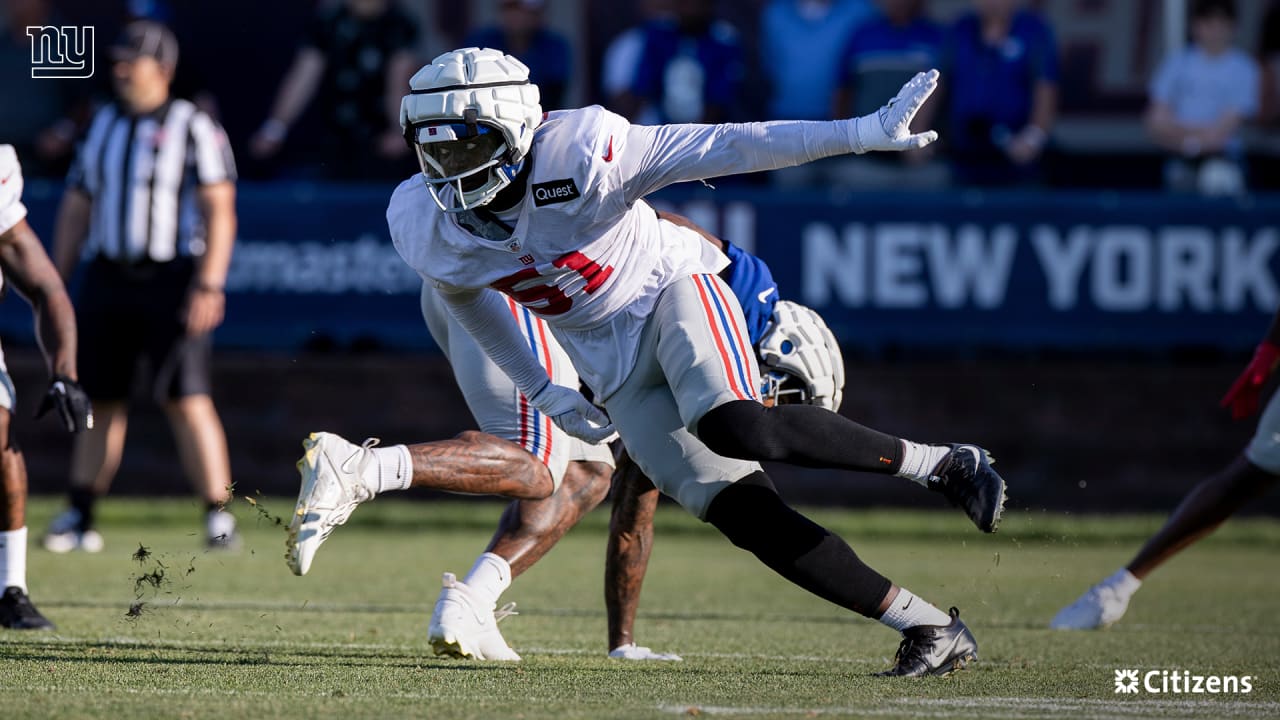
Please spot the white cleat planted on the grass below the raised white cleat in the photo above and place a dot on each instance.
(467, 627)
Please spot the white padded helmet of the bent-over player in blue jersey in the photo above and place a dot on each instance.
(801, 361)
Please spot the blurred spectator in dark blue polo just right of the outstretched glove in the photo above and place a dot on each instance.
(1002, 75)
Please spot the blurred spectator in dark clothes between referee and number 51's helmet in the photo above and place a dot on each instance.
(358, 57)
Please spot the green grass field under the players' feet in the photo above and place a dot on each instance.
(237, 636)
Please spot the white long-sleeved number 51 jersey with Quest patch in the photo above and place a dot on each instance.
(584, 253)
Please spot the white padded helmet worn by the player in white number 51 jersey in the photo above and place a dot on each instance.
(470, 119)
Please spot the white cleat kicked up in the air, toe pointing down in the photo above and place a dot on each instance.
(331, 471)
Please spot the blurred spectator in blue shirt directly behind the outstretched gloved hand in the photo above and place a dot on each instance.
(881, 57)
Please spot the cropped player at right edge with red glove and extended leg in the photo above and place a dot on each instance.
(1206, 507)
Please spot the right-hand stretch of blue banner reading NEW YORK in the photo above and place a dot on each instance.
(1022, 271)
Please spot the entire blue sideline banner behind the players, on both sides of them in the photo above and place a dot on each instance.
(962, 271)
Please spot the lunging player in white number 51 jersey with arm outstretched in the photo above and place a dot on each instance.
(545, 211)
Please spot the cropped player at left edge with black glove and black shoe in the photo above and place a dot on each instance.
(28, 268)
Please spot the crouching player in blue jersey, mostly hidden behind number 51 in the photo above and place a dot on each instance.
(464, 623)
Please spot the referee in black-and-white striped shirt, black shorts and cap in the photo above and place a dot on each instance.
(152, 203)
